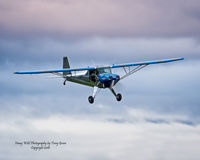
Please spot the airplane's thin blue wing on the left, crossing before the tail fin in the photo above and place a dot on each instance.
(55, 71)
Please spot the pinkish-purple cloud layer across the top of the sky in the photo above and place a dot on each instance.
(136, 18)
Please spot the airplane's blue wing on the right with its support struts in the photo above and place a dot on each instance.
(128, 68)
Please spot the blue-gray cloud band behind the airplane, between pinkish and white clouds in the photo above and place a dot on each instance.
(171, 88)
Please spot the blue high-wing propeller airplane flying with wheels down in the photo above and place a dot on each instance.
(99, 77)
